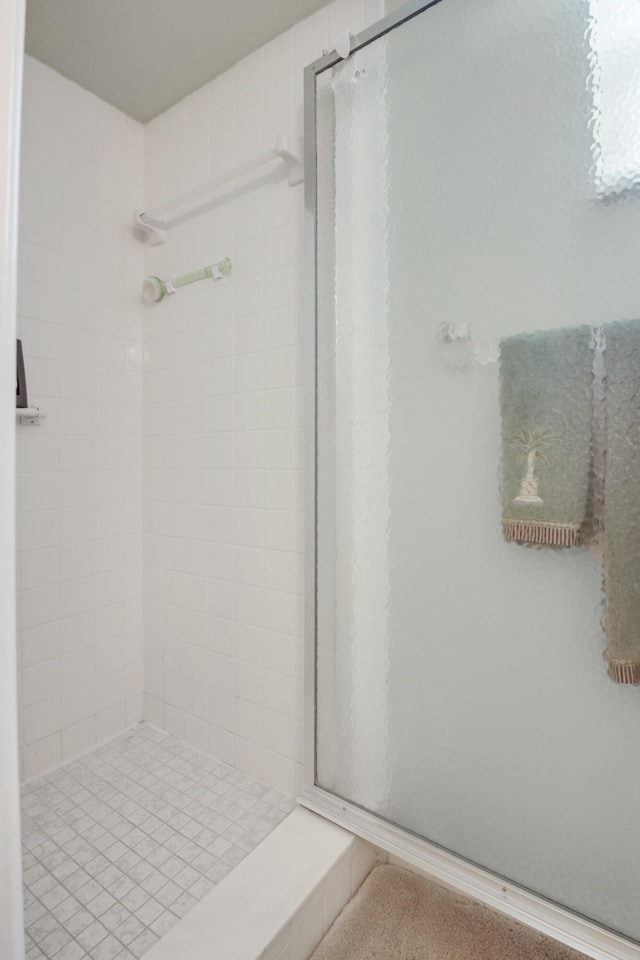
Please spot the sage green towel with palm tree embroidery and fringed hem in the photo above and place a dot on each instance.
(545, 399)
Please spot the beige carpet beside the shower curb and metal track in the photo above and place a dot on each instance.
(397, 915)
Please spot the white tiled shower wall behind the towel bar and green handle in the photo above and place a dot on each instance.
(223, 419)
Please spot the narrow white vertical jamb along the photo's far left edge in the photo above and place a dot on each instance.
(11, 46)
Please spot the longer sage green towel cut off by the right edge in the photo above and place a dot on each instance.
(622, 501)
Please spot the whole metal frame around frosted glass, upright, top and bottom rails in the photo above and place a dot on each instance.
(510, 899)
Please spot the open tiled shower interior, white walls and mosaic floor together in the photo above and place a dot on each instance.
(158, 493)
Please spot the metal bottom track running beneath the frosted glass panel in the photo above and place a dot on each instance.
(502, 895)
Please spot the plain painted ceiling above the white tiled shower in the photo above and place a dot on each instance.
(142, 56)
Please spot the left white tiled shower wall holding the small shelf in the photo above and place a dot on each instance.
(79, 471)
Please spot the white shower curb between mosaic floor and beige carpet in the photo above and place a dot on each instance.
(279, 901)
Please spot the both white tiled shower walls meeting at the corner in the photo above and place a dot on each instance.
(221, 505)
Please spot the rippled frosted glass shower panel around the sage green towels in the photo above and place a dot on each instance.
(463, 200)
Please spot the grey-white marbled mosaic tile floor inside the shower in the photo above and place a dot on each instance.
(119, 844)
